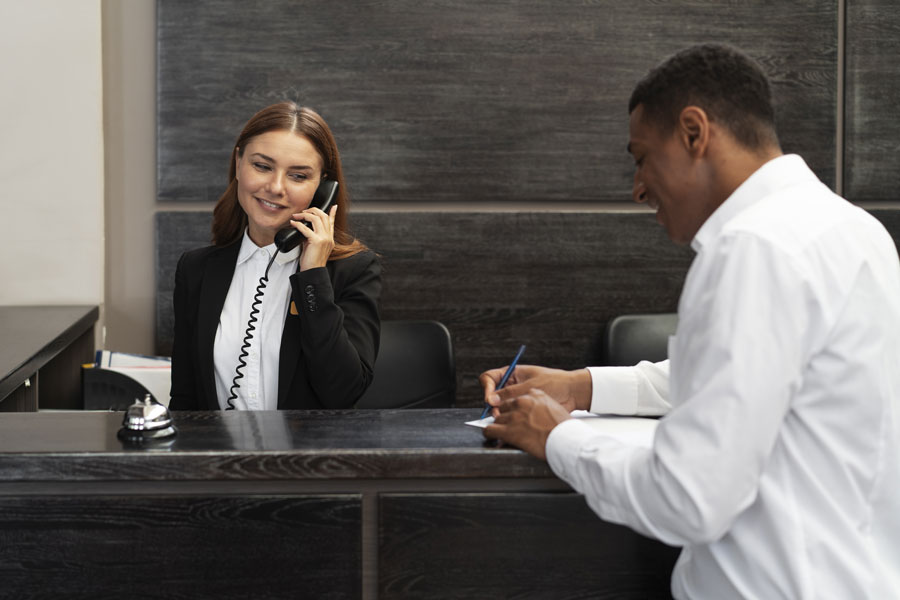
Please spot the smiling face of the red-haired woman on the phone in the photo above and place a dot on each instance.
(277, 174)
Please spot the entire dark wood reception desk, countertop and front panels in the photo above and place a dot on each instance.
(296, 504)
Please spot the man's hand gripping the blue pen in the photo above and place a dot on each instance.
(572, 389)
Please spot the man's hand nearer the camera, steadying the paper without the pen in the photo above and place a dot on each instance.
(526, 422)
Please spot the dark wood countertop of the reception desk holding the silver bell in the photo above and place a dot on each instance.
(260, 446)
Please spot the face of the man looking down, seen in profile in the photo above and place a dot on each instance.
(667, 177)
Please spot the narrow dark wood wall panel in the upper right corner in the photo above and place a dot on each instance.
(871, 166)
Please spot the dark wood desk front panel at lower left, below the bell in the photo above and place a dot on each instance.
(181, 547)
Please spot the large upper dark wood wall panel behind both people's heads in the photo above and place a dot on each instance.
(467, 100)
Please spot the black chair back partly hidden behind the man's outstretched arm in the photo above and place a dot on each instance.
(629, 339)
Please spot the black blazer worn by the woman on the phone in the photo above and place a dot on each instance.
(328, 349)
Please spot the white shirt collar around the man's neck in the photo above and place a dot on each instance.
(774, 175)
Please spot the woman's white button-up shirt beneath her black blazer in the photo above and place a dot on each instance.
(259, 385)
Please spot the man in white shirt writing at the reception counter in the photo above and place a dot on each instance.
(777, 467)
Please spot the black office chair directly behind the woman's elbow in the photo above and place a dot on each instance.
(414, 368)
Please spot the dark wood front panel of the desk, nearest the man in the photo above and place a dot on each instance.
(512, 546)
